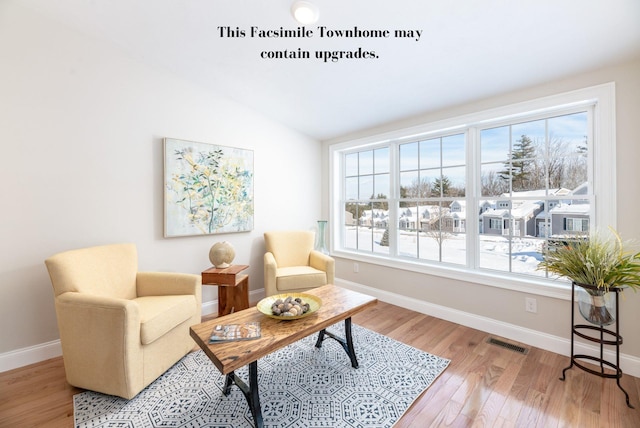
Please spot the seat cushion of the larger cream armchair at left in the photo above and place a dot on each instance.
(160, 314)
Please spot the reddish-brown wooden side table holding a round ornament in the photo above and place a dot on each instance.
(233, 287)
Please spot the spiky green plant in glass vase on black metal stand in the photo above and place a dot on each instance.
(595, 264)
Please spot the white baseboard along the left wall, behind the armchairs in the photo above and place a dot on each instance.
(44, 351)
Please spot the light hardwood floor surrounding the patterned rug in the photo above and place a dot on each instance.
(484, 386)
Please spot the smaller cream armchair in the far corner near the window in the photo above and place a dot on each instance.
(292, 265)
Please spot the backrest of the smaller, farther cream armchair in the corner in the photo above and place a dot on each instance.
(290, 248)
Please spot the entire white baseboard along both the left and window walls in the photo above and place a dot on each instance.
(560, 345)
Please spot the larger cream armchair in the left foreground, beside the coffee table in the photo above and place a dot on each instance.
(120, 329)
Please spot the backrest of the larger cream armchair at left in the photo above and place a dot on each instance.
(107, 270)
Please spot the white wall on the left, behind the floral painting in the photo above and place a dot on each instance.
(81, 164)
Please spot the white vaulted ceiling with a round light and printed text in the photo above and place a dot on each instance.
(466, 50)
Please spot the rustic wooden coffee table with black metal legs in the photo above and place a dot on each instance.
(338, 304)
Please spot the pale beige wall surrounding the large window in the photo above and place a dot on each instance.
(504, 310)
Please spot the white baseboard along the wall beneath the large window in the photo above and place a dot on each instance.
(559, 345)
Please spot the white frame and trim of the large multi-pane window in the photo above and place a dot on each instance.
(602, 157)
